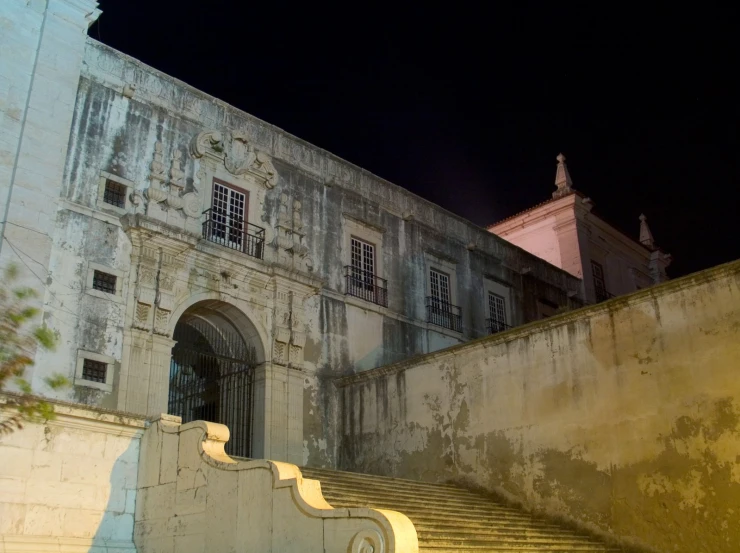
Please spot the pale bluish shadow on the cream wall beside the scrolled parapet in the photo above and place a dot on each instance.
(115, 534)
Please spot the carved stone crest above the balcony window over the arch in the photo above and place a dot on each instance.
(238, 155)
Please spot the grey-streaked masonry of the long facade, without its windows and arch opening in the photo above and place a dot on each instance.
(165, 142)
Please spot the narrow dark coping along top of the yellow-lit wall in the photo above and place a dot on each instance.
(610, 306)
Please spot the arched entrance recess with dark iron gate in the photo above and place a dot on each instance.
(212, 370)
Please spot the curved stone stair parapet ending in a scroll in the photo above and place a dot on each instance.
(284, 511)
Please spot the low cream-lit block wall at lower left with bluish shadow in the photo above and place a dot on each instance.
(70, 484)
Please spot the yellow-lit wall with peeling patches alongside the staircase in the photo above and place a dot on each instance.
(623, 416)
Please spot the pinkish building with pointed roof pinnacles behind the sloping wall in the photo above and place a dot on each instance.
(565, 232)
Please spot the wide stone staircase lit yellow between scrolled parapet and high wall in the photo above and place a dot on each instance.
(450, 519)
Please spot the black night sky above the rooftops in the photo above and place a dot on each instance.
(468, 106)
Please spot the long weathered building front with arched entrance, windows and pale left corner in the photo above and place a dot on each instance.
(171, 231)
